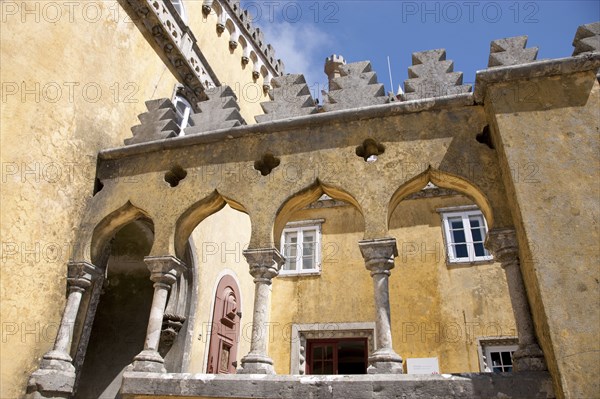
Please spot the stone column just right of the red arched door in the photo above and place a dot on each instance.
(264, 265)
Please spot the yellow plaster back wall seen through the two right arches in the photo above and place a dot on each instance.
(436, 310)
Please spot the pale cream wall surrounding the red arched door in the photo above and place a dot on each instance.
(219, 241)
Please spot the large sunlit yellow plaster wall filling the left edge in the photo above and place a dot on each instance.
(48, 150)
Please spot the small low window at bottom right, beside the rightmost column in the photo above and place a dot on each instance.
(496, 354)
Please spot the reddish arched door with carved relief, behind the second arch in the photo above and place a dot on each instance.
(225, 332)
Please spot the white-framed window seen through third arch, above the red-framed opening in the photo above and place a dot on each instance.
(301, 247)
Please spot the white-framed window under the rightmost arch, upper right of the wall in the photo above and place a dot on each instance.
(465, 231)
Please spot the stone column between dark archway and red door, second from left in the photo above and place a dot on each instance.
(164, 270)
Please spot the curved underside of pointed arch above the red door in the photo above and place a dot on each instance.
(187, 222)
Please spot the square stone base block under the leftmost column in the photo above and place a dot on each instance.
(51, 383)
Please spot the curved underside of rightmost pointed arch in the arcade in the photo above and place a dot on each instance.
(443, 180)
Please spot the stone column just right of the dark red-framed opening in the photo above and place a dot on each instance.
(379, 257)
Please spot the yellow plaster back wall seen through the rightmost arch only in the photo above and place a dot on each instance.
(440, 310)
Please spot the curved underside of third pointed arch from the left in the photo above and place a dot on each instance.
(306, 197)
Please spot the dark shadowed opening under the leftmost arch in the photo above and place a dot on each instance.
(121, 318)
